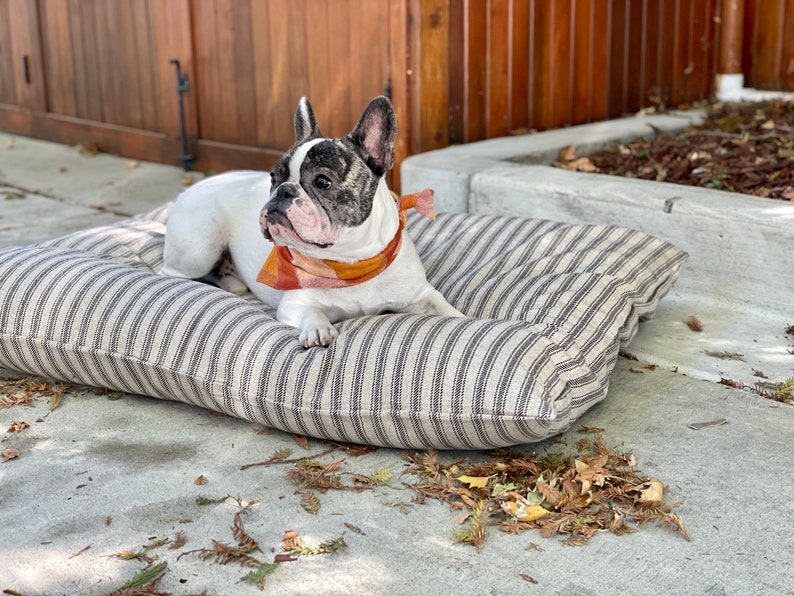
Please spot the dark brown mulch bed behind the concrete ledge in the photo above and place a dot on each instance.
(740, 147)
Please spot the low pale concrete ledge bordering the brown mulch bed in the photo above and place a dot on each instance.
(741, 247)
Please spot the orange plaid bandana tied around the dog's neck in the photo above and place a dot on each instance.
(285, 269)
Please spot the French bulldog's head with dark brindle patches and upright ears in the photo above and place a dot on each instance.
(321, 186)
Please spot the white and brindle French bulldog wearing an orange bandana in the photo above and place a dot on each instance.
(320, 238)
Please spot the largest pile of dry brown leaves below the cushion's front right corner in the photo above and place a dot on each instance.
(597, 489)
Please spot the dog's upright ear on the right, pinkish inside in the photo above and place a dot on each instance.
(374, 135)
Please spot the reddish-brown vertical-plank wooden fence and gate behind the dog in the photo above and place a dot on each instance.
(99, 71)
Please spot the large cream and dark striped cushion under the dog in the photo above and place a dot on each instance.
(549, 306)
